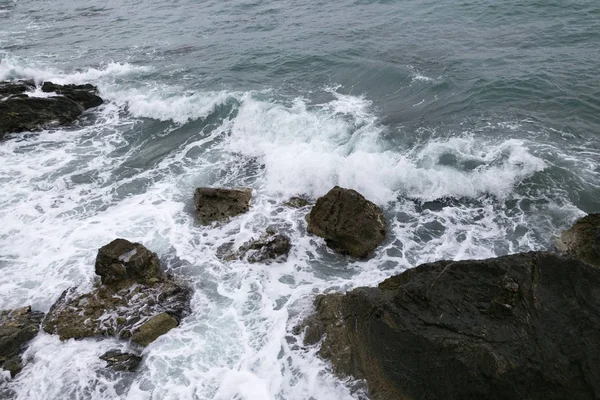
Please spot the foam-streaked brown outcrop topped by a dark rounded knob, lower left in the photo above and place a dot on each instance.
(134, 301)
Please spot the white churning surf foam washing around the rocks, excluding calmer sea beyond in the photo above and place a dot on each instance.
(67, 192)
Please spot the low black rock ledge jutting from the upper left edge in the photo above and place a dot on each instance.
(20, 112)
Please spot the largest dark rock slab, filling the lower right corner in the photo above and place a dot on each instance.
(525, 326)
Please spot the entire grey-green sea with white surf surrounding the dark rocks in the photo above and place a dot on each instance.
(474, 124)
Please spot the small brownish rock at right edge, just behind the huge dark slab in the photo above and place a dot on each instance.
(582, 240)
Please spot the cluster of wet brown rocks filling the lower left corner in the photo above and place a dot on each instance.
(136, 300)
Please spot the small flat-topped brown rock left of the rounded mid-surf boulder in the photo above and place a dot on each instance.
(215, 204)
